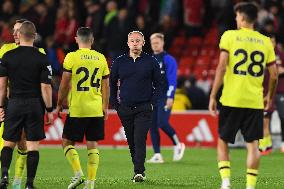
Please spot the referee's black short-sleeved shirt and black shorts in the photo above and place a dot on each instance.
(26, 68)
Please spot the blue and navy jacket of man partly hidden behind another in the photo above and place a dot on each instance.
(168, 68)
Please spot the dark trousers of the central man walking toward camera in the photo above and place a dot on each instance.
(136, 121)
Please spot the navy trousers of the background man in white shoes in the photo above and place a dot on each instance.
(161, 118)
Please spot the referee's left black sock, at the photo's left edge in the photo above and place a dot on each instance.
(6, 158)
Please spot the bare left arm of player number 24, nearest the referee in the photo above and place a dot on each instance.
(63, 89)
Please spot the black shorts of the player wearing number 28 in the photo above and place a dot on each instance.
(249, 121)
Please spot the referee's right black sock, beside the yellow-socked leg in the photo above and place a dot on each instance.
(32, 163)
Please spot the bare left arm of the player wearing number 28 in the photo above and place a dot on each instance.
(218, 81)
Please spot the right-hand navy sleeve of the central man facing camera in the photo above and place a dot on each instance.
(157, 82)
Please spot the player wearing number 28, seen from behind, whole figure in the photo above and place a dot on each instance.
(244, 56)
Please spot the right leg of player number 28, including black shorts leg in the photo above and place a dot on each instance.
(252, 130)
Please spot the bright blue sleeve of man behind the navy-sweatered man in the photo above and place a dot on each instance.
(171, 72)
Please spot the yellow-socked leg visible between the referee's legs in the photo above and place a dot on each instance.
(20, 162)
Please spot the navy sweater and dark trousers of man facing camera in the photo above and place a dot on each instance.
(140, 87)
